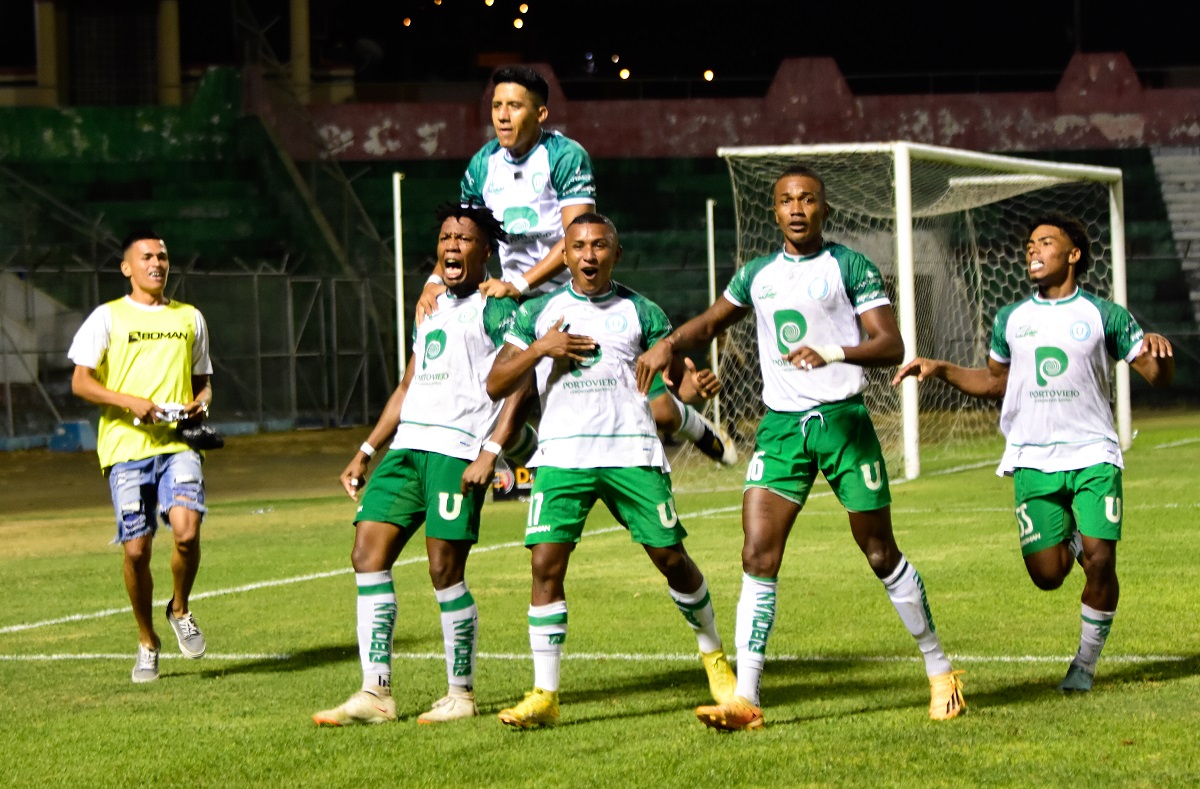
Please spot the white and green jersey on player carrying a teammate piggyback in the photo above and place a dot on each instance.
(447, 408)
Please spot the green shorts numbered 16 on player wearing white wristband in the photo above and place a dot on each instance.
(837, 439)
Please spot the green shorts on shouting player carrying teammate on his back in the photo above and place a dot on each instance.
(413, 487)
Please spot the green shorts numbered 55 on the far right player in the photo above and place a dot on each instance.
(1052, 504)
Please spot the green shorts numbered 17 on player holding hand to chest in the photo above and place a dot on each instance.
(639, 498)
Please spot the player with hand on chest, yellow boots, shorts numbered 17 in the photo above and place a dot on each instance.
(598, 442)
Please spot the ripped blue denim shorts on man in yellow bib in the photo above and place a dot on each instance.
(157, 484)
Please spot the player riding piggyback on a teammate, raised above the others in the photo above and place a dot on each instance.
(537, 182)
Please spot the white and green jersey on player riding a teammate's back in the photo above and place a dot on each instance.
(527, 196)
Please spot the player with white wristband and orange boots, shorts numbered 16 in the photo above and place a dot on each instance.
(823, 316)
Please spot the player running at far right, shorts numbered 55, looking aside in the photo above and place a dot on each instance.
(1051, 363)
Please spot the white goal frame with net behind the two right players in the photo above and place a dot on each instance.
(947, 230)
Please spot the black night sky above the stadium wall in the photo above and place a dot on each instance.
(670, 40)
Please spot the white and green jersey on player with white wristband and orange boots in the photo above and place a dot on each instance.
(808, 302)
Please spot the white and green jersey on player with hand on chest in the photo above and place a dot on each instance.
(592, 414)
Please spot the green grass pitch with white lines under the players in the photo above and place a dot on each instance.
(845, 700)
